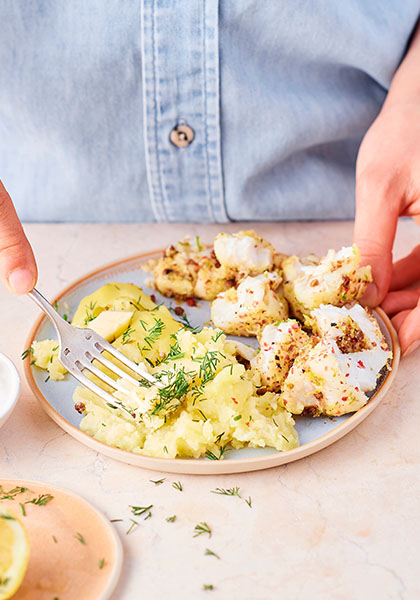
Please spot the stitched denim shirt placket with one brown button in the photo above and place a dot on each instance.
(180, 53)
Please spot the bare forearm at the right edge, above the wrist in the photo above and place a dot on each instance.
(405, 86)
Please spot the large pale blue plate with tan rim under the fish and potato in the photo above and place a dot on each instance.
(56, 397)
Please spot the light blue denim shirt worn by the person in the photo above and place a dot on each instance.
(275, 94)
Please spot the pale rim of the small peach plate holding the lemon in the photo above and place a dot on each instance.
(119, 552)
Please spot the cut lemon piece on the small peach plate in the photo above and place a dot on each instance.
(14, 553)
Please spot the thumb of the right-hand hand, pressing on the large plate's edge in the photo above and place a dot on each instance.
(374, 231)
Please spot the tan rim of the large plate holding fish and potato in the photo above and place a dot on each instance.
(193, 465)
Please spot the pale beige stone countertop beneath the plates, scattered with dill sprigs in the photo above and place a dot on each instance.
(342, 524)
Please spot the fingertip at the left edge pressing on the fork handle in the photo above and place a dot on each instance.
(17, 263)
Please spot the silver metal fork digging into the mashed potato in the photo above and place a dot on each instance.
(80, 347)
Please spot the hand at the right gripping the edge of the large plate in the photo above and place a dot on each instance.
(388, 186)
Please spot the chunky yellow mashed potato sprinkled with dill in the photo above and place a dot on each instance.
(209, 400)
